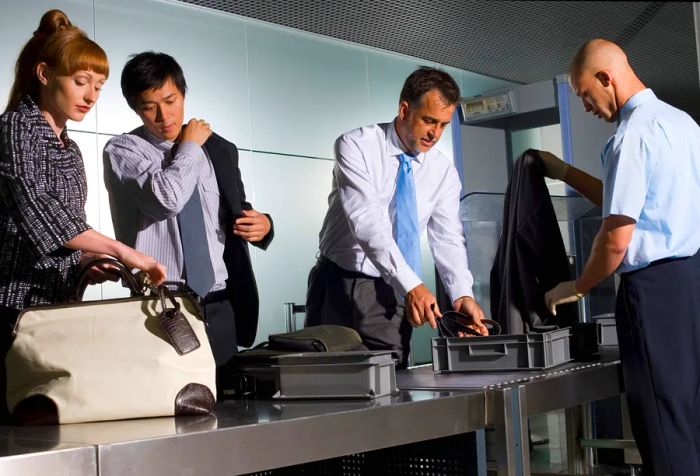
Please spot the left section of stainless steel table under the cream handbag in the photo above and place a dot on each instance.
(246, 436)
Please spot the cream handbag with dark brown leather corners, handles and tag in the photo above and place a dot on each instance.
(109, 360)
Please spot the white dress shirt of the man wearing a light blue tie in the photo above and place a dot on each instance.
(357, 233)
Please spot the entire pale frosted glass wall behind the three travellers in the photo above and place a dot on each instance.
(281, 95)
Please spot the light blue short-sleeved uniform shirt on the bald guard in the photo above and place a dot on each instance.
(651, 173)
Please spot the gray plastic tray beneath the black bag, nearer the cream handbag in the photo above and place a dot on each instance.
(356, 374)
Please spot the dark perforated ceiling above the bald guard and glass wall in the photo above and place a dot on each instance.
(522, 42)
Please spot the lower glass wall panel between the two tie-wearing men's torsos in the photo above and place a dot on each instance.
(294, 191)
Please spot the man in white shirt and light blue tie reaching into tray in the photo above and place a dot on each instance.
(364, 278)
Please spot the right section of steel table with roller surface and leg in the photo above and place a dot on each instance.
(512, 397)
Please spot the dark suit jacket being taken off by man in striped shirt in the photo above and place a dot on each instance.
(241, 280)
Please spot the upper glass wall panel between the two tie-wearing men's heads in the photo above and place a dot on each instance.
(305, 91)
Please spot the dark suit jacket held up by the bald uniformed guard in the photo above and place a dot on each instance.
(531, 258)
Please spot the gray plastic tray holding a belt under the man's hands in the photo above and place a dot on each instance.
(506, 352)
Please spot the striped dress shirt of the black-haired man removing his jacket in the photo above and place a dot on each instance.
(148, 185)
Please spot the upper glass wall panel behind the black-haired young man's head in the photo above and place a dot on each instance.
(209, 46)
